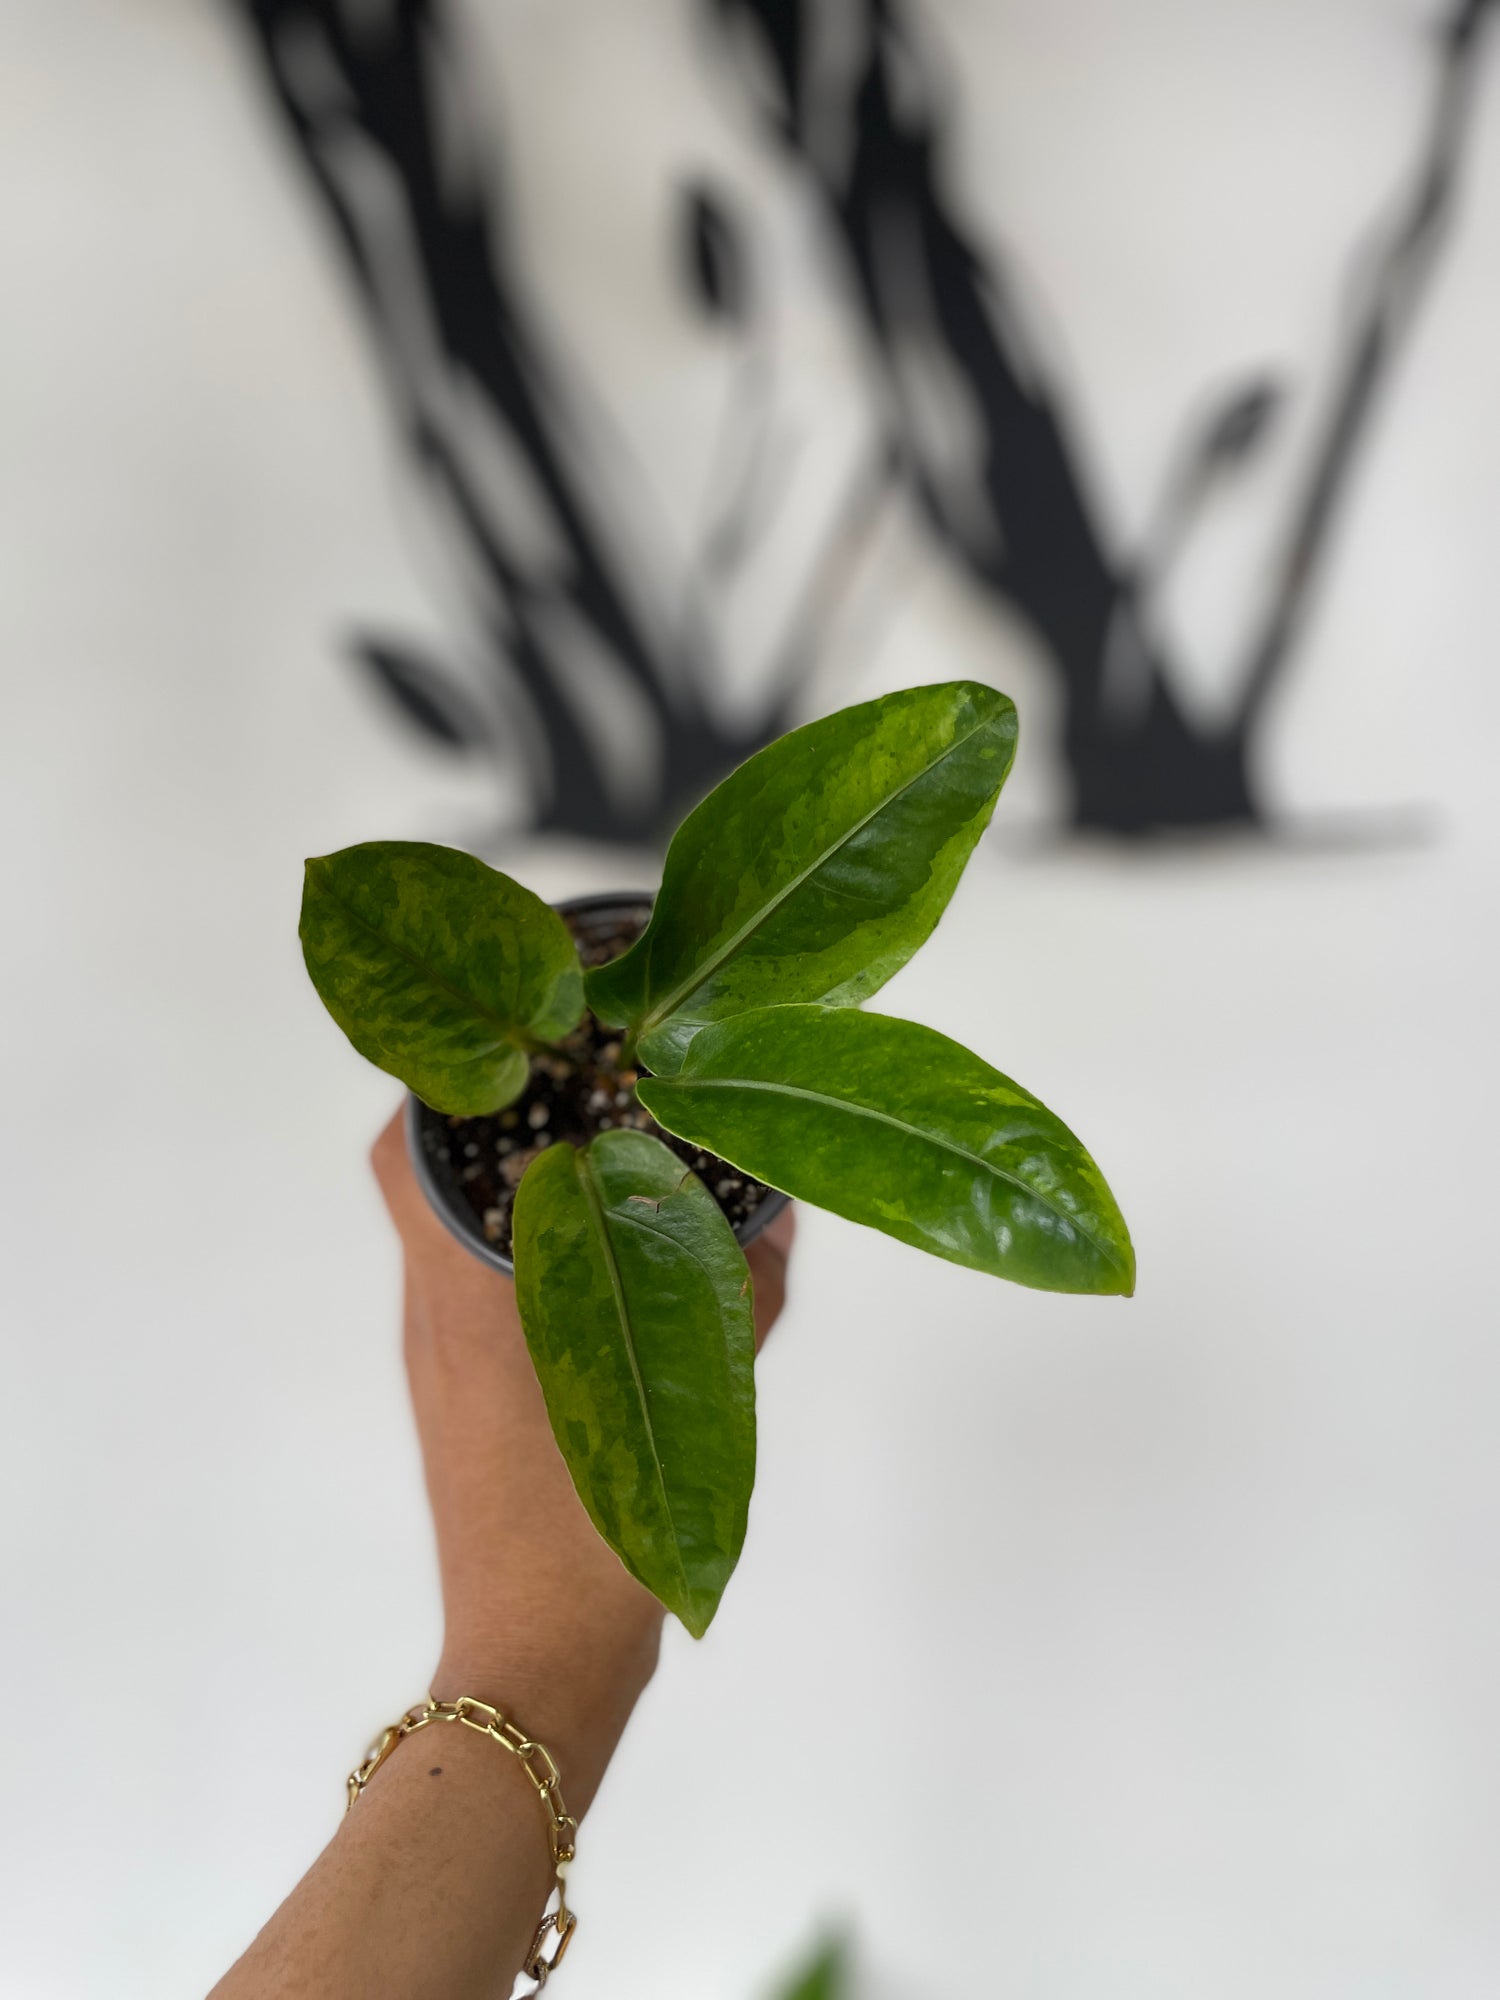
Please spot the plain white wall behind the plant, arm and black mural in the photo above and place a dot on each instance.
(1081, 1649)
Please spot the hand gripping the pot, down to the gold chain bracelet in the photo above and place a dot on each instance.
(541, 1617)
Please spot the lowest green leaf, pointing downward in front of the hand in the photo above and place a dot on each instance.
(639, 1315)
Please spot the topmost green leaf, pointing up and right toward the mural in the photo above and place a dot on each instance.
(817, 869)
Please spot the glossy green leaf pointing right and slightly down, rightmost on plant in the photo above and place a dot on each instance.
(895, 1125)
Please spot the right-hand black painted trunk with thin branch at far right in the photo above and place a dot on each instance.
(1009, 497)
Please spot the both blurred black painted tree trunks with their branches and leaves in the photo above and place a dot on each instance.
(385, 93)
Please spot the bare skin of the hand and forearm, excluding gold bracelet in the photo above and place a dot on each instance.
(433, 1885)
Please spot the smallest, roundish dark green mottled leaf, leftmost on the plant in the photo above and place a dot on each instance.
(439, 969)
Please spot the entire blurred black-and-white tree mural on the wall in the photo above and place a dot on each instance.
(595, 637)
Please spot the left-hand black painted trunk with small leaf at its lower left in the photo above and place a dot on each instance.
(377, 103)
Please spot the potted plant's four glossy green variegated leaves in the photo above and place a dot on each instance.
(789, 897)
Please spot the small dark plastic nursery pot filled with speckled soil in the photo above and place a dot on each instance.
(471, 1167)
